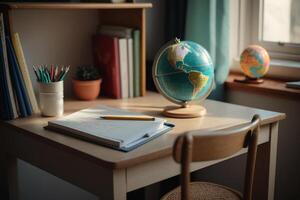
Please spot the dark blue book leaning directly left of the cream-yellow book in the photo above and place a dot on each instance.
(18, 83)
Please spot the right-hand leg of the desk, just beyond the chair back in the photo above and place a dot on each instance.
(264, 180)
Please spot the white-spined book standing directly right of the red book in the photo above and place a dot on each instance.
(123, 67)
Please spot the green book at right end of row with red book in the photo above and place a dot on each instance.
(136, 63)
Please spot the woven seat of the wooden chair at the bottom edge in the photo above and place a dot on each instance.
(205, 191)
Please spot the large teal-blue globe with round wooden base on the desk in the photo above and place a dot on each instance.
(183, 72)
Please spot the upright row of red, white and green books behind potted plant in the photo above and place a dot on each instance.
(117, 54)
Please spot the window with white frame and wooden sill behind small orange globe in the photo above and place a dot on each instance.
(273, 24)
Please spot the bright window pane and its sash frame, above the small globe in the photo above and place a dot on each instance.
(277, 27)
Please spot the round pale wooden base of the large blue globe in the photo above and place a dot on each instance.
(190, 111)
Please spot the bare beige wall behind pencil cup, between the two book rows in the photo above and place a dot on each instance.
(56, 37)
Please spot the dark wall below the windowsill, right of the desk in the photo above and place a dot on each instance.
(288, 162)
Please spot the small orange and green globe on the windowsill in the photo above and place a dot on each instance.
(255, 61)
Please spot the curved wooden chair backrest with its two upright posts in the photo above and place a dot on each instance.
(198, 146)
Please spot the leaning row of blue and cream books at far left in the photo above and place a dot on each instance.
(17, 98)
